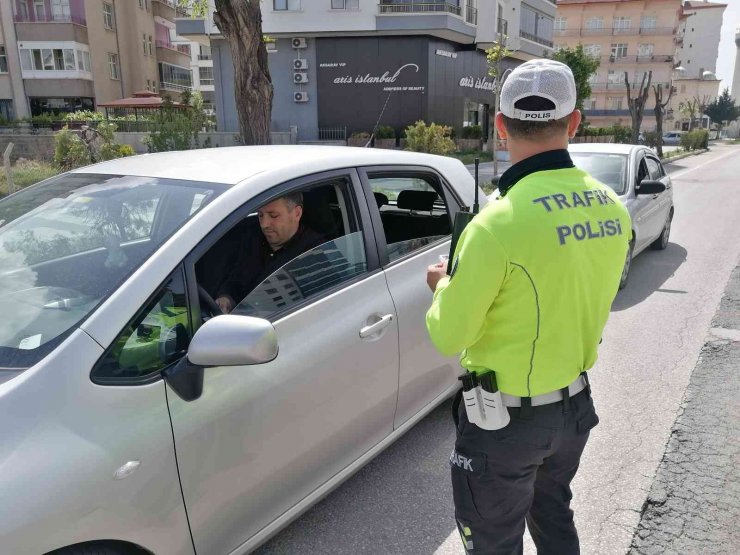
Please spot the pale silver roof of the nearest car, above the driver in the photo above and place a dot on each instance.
(231, 165)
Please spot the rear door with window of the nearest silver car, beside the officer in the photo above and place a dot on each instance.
(412, 220)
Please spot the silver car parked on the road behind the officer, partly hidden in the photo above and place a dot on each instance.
(639, 178)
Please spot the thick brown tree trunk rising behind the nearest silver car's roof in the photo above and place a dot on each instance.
(240, 22)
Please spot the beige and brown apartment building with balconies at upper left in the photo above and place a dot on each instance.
(66, 55)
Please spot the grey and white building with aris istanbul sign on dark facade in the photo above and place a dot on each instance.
(344, 66)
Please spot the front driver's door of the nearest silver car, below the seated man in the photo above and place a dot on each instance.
(262, 438)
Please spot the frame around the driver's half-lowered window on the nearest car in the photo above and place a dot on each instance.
(262, 198)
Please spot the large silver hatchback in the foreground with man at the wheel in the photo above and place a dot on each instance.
(137, 417)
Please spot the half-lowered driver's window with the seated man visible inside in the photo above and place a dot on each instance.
(255, 273)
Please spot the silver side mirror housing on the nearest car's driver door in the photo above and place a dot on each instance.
(231, 340)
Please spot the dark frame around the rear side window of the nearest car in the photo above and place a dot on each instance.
(451, 198)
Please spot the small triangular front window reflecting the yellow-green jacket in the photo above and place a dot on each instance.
(157, 336)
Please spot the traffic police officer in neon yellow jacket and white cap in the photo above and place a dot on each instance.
(532, 282)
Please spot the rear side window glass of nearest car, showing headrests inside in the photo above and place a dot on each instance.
(413, 211)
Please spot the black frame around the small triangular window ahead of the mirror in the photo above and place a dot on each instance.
(155, 376)
